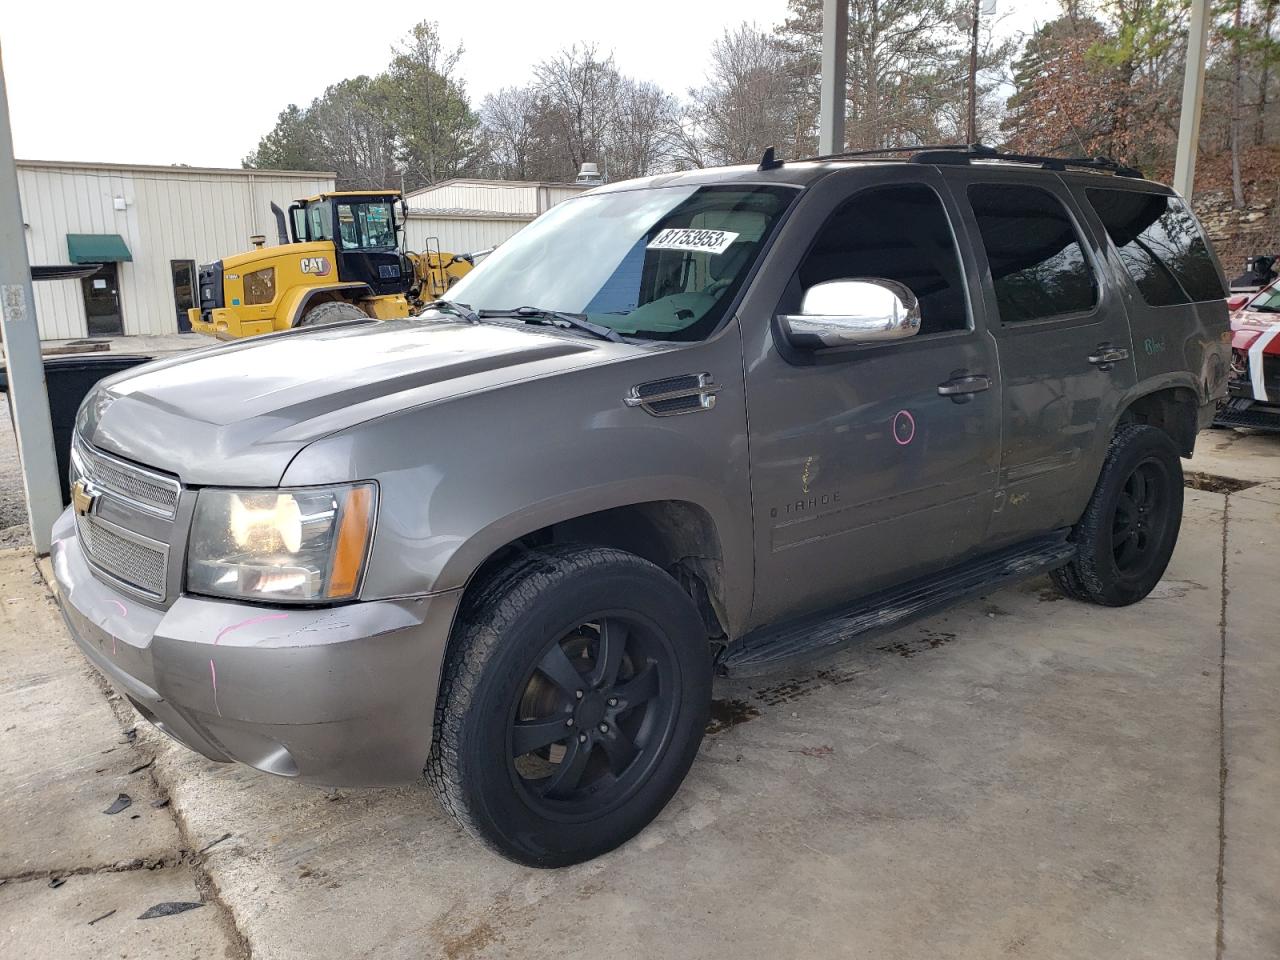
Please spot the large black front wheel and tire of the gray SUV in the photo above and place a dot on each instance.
(559, 619)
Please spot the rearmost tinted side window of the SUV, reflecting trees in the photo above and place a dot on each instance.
(1160, 245)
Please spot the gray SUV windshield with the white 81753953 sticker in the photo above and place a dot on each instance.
(659, 264)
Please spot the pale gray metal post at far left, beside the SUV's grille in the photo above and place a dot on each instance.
(29, 401)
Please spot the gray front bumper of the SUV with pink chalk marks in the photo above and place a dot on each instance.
(340, 696)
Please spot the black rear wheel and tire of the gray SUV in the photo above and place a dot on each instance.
(1130, 529)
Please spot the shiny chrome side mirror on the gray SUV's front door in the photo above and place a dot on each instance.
(844, 313)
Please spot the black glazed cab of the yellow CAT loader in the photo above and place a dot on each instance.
(364, 231)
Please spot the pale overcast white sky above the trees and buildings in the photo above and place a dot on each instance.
(179, 84)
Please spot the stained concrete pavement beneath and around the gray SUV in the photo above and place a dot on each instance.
(1021, 776)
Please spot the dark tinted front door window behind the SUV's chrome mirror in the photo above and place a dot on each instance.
(895, 234)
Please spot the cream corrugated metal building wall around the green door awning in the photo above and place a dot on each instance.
(171, 214)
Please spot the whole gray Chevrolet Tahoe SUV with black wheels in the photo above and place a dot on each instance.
(706, 423)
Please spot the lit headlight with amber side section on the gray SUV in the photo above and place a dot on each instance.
(304, 546)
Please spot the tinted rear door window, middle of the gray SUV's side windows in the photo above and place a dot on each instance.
(1037, 263)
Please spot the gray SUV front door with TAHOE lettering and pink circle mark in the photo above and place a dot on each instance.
(863, 474)
